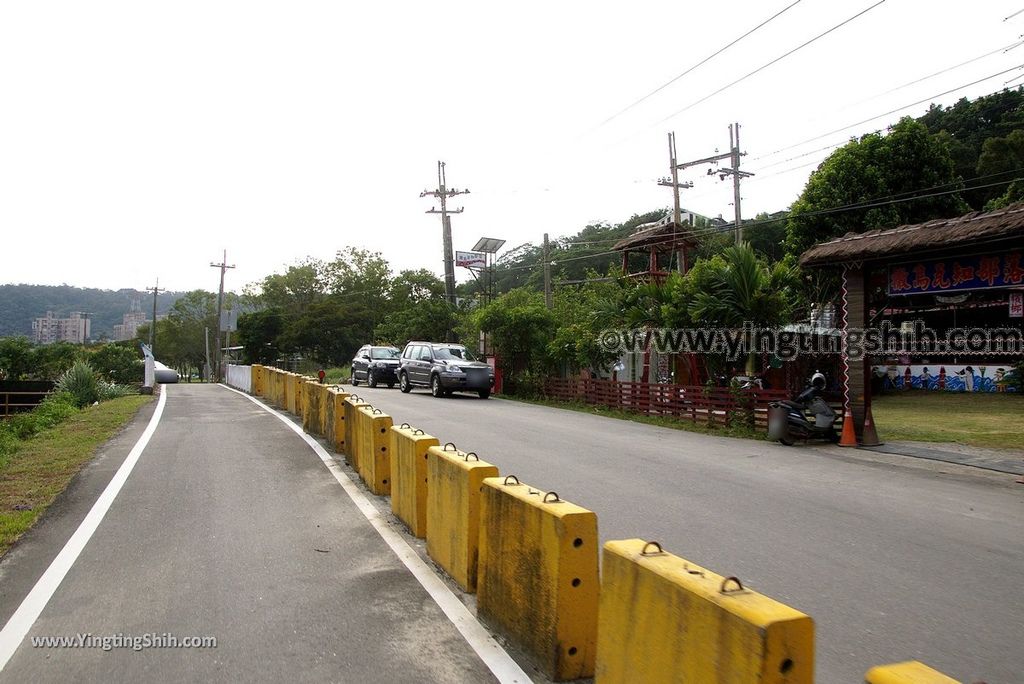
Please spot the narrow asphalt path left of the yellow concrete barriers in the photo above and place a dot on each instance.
(230, 527)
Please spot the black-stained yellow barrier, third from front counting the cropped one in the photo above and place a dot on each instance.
(538, 580)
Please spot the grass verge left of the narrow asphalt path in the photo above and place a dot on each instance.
(44, 465)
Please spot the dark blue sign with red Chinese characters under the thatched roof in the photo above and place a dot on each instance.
(954, 274)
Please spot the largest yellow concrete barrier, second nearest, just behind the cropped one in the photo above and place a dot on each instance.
(666, 620)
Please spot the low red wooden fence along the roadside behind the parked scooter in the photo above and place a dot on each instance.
(711, 406)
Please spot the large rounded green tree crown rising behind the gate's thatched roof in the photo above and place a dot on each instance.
(852, 190)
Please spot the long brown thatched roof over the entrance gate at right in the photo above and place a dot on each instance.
(938, 235)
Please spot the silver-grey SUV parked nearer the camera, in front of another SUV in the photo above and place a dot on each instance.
(445, 369)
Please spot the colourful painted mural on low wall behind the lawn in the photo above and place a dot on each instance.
(968, 378)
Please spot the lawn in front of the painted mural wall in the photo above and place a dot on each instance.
(991, 420)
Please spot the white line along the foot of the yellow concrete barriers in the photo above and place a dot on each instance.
(497, 660)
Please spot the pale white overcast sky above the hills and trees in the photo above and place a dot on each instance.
(139, 141)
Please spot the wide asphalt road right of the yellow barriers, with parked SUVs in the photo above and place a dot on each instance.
(895, 559)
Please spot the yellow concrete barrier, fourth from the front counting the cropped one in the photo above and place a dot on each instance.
(454, 481)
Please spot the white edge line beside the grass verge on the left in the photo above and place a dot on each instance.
(18, 627)
